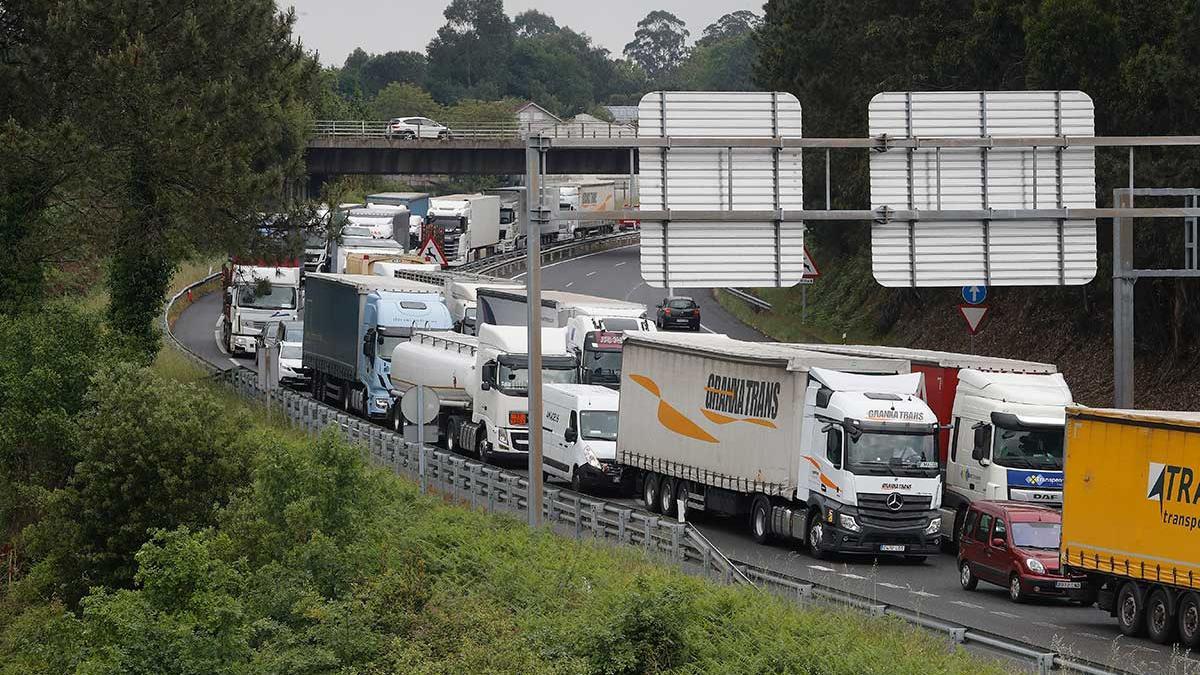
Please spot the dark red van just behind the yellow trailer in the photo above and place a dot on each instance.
(1016, 545)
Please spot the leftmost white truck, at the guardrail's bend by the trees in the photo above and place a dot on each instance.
(256, 294)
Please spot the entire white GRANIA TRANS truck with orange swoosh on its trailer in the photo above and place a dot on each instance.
(837, 452)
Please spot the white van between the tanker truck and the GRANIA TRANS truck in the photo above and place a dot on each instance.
(580, 434)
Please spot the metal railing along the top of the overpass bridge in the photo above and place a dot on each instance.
(497, 132)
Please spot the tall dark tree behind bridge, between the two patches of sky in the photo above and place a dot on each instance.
(471, 53)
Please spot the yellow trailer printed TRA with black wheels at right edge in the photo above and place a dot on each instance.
(1132, 517)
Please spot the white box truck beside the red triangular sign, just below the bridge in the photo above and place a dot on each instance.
(470, 225)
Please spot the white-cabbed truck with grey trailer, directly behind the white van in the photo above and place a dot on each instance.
(595, 326)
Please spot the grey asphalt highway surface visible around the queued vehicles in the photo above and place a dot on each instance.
(931, 588)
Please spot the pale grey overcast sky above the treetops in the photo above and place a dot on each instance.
(337, 28)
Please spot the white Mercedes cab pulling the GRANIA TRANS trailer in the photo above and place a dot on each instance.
(871, 465)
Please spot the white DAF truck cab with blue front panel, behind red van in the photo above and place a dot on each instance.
(1007, 439)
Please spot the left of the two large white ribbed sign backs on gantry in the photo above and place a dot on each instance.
(745, 174)
